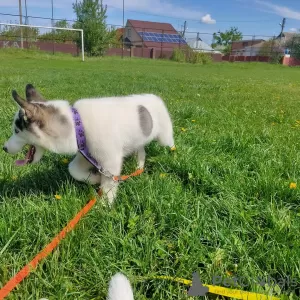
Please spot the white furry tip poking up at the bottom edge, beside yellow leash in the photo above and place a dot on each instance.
(119, 288)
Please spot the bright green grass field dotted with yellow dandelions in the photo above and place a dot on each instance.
(220, 205)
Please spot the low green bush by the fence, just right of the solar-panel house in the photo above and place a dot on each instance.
(191, 56)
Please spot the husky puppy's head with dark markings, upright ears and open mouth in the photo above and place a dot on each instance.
(31, 125)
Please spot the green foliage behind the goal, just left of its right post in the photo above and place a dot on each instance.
(58, 35)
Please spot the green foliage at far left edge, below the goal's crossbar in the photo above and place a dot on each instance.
(13, 33)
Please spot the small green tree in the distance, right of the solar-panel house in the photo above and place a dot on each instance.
(226, 38)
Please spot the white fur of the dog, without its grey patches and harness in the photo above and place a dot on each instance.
(112, 130)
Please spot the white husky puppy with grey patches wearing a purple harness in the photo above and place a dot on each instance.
(111, 128)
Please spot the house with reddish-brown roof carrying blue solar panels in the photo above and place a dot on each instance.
(153, 35)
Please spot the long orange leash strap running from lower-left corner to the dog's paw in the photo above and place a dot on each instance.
(45, 252)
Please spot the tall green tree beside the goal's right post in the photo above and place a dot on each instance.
(91, 17)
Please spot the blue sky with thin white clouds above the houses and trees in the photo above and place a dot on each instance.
(260, 18)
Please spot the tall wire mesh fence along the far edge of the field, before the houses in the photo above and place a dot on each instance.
(141, 41)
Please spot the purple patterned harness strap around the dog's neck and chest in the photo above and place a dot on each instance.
(81, 141)
